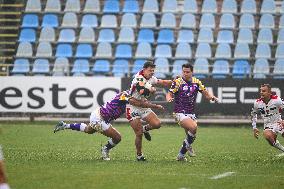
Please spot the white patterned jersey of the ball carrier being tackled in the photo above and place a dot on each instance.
(139, 77)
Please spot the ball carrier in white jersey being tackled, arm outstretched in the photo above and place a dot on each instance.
(141, 88)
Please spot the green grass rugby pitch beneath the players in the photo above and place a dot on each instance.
(36, 158)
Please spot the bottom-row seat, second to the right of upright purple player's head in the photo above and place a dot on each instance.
(221, 69)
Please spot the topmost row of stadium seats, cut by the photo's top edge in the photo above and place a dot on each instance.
(133, 6)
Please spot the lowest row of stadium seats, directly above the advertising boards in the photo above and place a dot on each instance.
(220, 68)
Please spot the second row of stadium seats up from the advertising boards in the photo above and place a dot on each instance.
(146, 50)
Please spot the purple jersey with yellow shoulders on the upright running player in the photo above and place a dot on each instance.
(185, 93)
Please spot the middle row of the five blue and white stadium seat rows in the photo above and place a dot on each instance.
(128, 35)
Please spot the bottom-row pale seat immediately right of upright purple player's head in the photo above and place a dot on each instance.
(201, 68)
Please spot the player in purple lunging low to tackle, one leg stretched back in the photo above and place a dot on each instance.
(101, 117)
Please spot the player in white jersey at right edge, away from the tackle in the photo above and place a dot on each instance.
(269, 106)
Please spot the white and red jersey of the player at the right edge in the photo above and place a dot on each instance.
(270, 112)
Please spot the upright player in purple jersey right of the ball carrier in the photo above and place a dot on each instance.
(184, 91)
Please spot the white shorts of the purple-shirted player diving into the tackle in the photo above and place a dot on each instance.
(96, 121)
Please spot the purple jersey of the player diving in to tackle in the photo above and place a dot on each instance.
(115, 107)
